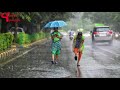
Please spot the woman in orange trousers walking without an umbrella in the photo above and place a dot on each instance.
(78, 47)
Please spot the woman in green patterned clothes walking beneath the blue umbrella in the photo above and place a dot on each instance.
(56, 37)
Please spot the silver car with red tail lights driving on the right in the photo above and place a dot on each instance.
(102, 34)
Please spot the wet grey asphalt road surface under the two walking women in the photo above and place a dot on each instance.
(99, 61)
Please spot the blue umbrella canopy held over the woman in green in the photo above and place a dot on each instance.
(56, 23)
